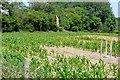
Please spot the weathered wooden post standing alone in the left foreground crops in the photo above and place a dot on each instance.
(26, 68)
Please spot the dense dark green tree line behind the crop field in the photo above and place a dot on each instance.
(73, 16)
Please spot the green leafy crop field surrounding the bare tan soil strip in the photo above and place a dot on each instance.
(44, 64)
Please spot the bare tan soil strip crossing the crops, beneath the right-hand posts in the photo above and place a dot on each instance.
(73, 52)
